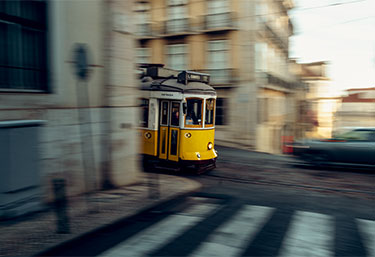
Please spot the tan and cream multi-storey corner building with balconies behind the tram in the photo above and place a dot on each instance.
(244, 46)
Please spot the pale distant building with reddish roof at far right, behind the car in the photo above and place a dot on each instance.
(357, 109)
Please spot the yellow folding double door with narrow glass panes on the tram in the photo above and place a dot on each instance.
(169, 130)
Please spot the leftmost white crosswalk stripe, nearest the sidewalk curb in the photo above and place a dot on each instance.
(161, 232)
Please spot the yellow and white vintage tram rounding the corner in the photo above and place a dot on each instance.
(178, 119)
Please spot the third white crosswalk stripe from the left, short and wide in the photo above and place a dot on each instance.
(310, 234)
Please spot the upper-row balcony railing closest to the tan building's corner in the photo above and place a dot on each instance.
(219, 21)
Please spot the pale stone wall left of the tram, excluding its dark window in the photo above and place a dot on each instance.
(89, 140)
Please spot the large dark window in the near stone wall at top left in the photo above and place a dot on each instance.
(23, 45)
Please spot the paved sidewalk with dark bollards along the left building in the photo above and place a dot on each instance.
(31, 235)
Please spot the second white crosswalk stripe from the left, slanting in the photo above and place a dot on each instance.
(231, 237)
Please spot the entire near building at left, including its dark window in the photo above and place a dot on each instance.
(88, 138)
